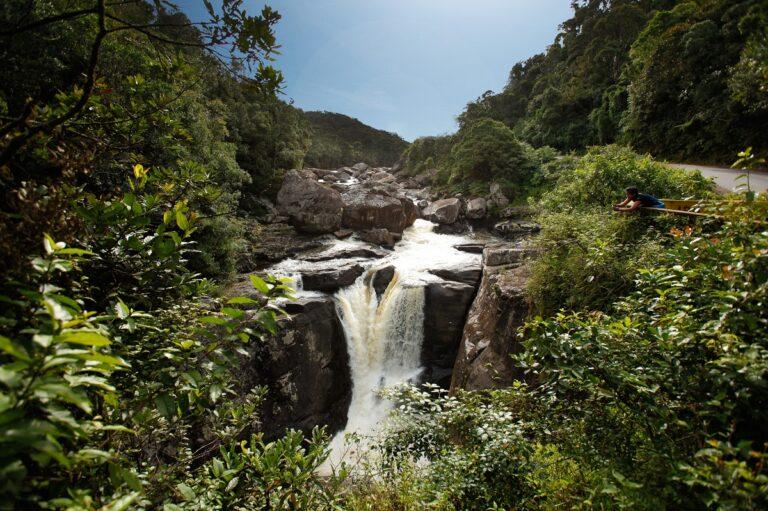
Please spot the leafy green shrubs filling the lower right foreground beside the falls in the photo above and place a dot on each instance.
(658, 403)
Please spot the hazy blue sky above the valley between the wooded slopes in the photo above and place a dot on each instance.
(408, 66)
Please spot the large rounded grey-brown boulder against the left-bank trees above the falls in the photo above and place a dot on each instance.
(310, 206)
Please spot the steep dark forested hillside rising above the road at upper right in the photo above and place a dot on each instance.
(679, 79)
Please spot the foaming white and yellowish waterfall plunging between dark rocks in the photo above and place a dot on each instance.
(384, 336)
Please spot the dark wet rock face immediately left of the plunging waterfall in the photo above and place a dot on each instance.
(305, 367)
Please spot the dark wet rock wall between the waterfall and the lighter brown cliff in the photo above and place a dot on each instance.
(445, 309)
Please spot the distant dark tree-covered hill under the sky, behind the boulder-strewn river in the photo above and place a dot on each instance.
(341, 140)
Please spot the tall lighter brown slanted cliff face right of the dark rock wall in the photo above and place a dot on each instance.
(489, 336)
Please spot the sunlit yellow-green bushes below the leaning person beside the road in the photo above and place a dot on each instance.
(588, 256)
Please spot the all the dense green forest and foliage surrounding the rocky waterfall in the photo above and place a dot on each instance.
(138, 150)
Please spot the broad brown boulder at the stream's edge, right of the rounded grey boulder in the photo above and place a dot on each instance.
(374, 205)
